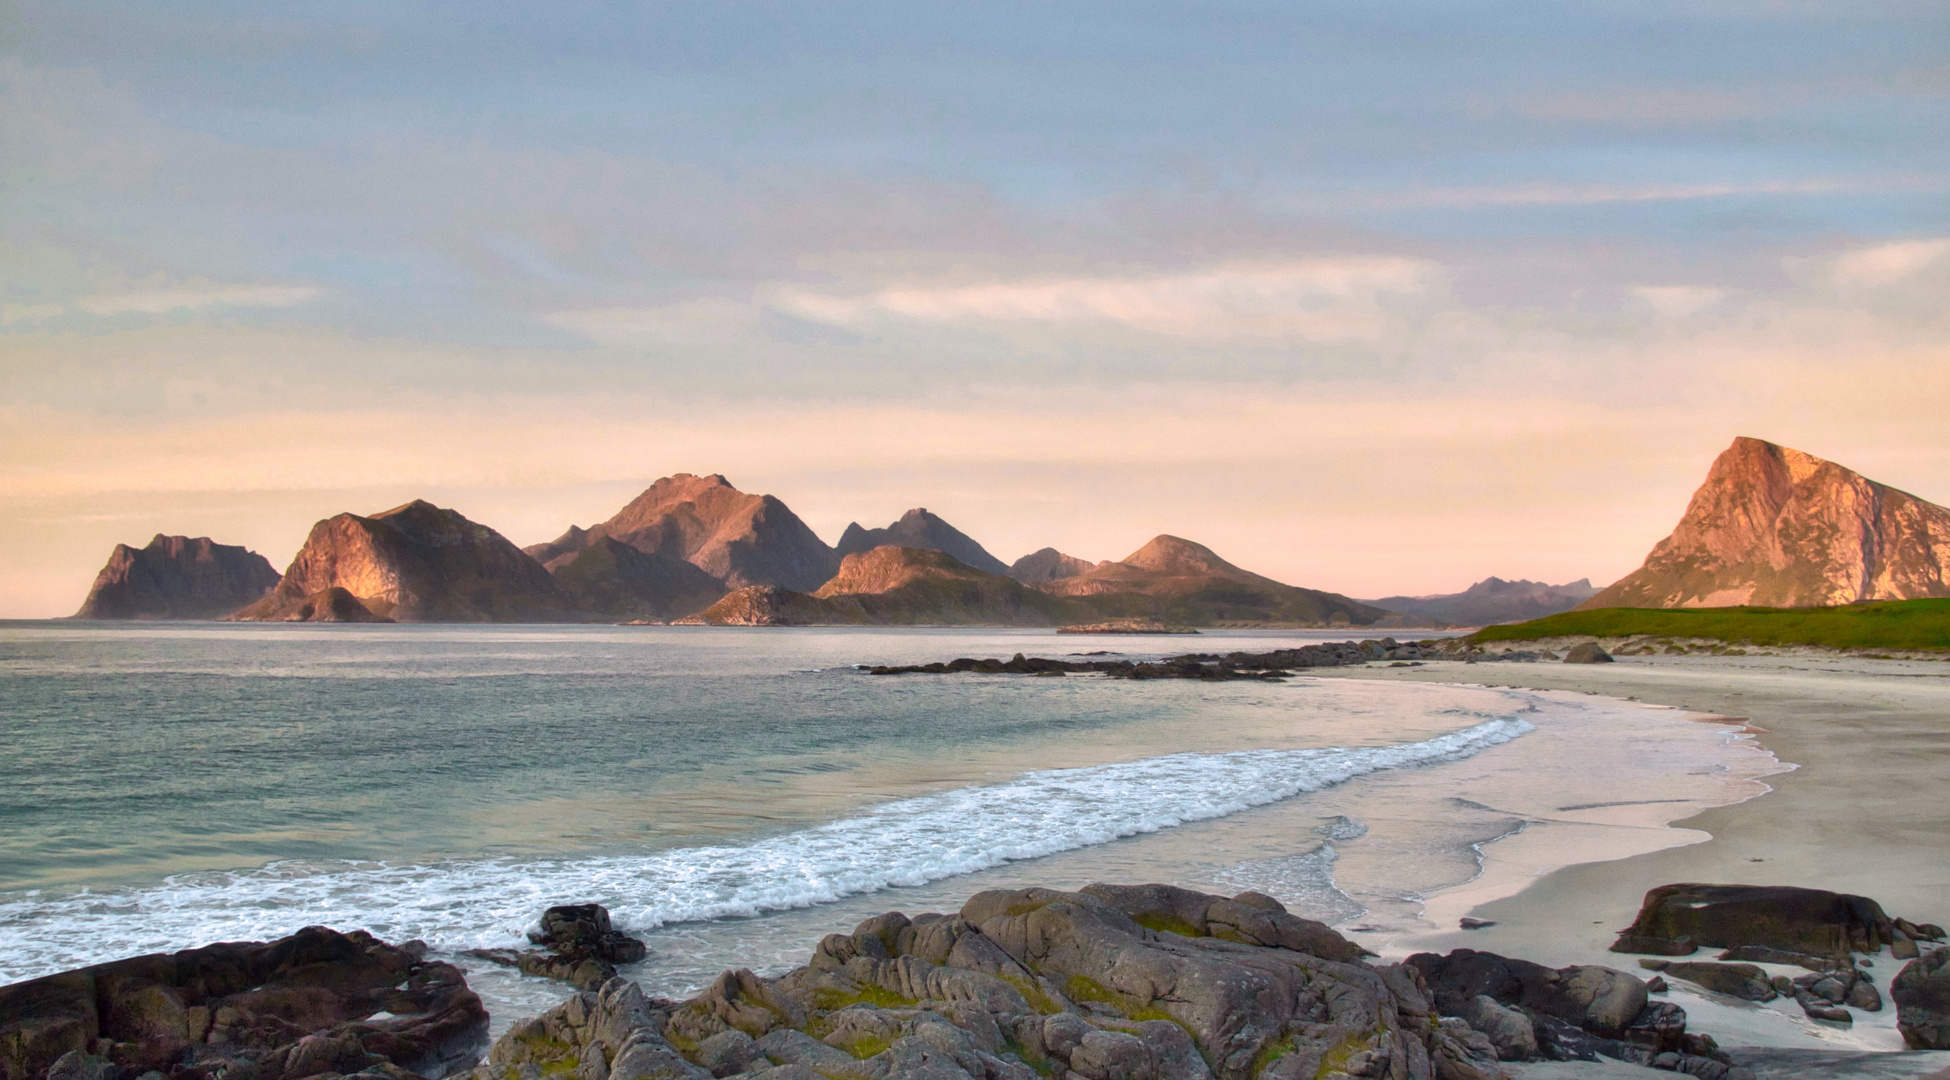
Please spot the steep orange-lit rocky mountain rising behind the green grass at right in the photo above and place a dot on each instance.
(1783, 529)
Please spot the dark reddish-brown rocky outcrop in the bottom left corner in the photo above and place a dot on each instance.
(317, 1003)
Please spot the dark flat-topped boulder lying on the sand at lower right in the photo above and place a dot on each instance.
(1779, 917)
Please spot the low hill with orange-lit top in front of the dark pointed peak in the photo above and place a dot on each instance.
(896, 586)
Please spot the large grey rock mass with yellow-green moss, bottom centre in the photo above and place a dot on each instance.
(1109, 984)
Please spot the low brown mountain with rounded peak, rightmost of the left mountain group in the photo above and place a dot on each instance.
(1179, 582)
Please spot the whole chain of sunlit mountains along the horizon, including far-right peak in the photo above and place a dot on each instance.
(1770, 527)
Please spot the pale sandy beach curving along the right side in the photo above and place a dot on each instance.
(1861, 812)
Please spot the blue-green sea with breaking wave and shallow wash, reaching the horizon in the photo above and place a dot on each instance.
(736, 794)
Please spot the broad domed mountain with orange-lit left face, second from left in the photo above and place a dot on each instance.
(414, 564)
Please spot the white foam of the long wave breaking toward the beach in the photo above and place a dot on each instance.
(488, 904)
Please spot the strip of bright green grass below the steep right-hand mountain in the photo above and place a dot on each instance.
(1894, 625)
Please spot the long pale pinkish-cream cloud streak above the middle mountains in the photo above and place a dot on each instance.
(1333, 299)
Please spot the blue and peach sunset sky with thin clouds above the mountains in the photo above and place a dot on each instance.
(1374, 297)
